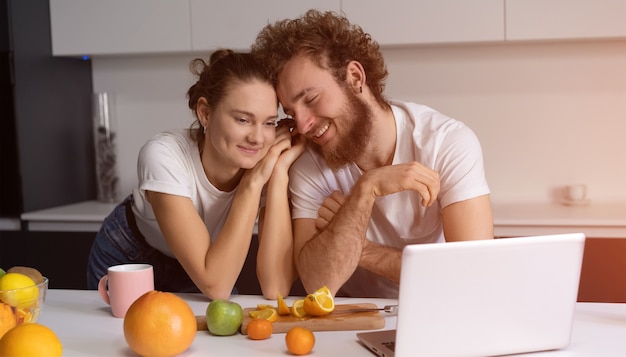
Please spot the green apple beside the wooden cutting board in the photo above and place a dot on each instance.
(224, 317)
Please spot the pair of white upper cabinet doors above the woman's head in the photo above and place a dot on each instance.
(118, 27)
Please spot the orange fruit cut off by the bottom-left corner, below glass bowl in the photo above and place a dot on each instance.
(31, 339)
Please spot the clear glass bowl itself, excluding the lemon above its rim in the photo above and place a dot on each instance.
(24, 304)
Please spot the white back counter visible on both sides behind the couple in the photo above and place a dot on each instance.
(600, 220)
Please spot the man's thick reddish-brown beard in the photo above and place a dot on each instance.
(356, 122)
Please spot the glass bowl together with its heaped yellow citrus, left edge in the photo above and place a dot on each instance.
(22, 293)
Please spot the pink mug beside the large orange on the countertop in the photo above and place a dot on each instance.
(123, 284)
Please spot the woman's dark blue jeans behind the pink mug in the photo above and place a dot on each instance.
(120, 242)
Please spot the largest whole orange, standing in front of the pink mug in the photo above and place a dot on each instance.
(159, 324)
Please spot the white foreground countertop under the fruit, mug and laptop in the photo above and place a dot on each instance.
(86, 327)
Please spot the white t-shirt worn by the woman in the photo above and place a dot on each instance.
(170, 163)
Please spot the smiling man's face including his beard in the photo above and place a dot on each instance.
(329, 114)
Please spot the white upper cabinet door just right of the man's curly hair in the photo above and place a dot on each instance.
(400, 22)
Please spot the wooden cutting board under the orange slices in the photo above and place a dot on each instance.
(339, 320)
